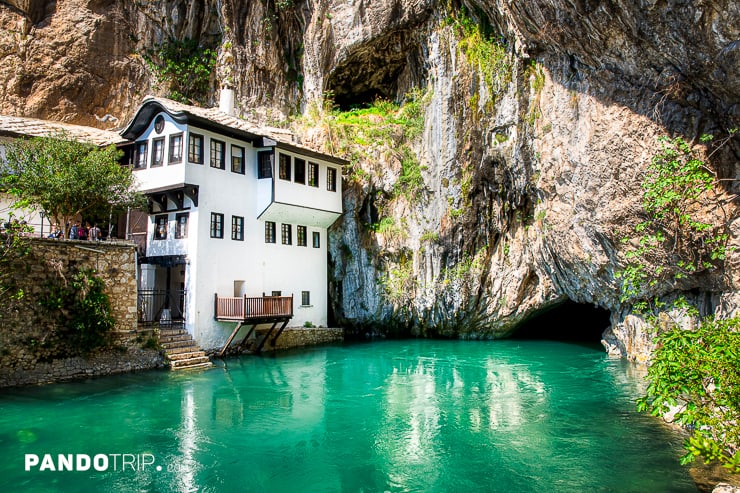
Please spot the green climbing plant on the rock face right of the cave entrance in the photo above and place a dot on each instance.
(672, 240)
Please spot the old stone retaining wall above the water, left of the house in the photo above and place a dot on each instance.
(34, 350)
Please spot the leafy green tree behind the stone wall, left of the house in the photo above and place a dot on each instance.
(66, 179)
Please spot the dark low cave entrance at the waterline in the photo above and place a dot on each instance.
(569, 321)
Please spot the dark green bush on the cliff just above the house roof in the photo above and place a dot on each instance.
(183, 67)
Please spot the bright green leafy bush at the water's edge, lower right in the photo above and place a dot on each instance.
(696, 374)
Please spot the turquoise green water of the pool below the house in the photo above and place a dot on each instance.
(427, 416)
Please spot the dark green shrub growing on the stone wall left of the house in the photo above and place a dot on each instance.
(82, 308)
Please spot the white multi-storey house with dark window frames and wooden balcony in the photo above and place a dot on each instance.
(237, 221)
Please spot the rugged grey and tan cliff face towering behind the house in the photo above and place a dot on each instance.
(528, 185)
